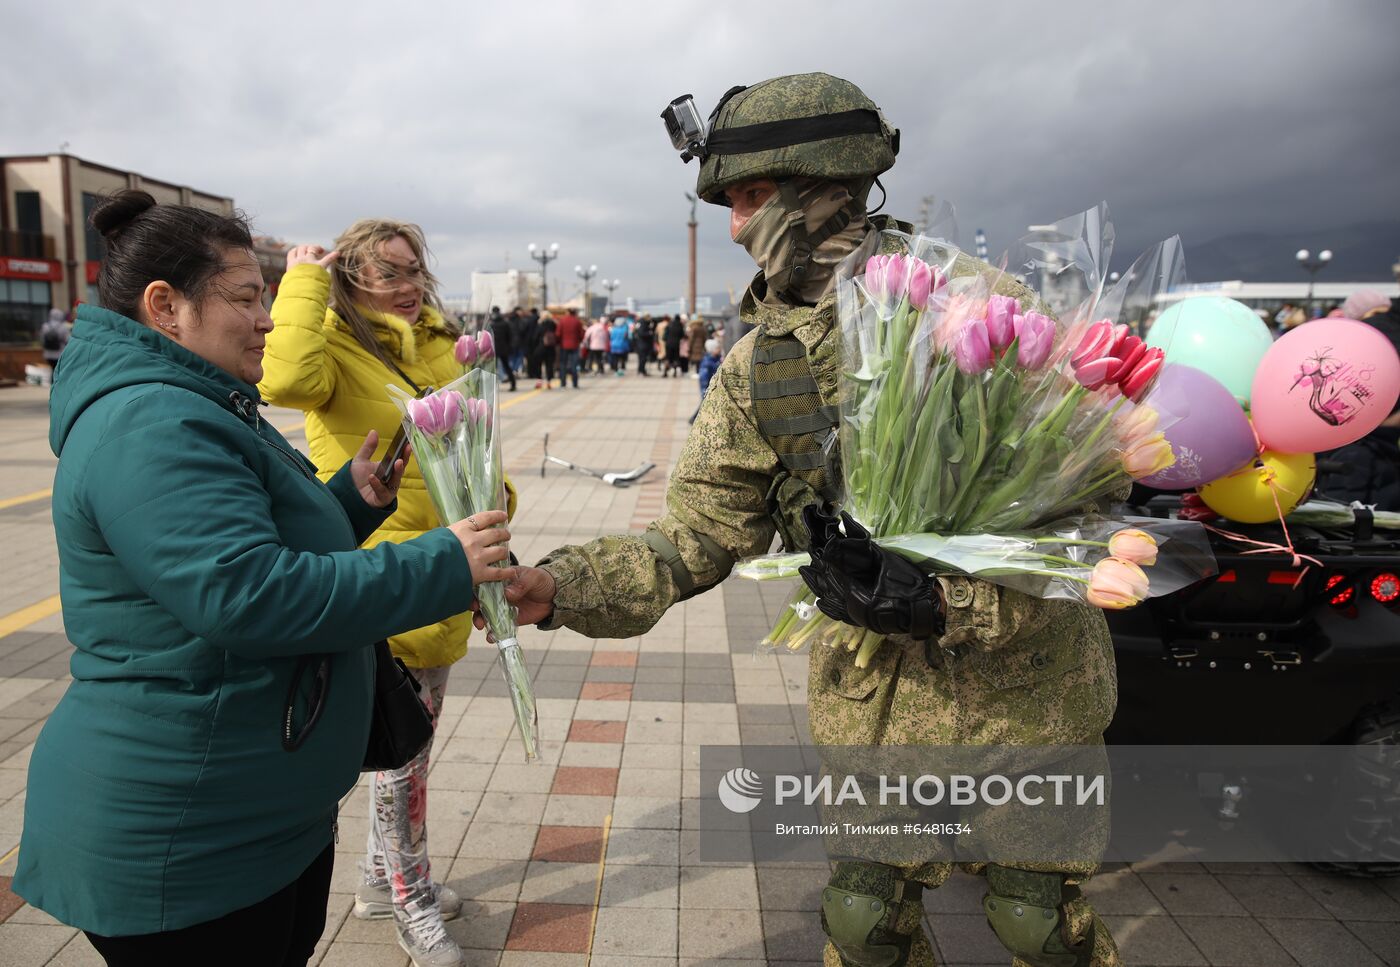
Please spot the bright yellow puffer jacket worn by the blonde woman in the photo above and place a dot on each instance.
(314, 363)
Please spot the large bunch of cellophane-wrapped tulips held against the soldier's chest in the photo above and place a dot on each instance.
(981, 435)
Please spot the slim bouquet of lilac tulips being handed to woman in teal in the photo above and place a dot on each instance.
(454, 440)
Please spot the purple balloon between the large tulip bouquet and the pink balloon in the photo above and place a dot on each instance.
(1205, 425)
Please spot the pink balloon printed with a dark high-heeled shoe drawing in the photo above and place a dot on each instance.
(1324, 386)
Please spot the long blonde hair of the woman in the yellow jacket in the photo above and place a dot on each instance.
(362, 247)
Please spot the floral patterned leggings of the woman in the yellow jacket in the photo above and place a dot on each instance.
(398, 847)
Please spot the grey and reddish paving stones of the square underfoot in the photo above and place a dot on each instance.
(593, 854)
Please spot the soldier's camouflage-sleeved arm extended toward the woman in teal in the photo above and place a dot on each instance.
(717, 511)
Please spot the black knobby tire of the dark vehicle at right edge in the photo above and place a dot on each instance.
(1367, 807)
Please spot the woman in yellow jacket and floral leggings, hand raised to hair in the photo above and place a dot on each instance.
(348, 323)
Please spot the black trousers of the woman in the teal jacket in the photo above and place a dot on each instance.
(282, 930)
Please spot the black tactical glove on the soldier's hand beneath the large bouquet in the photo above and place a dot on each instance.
(860, 583)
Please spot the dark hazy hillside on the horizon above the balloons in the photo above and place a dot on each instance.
(1361, 253)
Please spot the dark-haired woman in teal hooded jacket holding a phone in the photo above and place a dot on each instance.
(199, 559)
